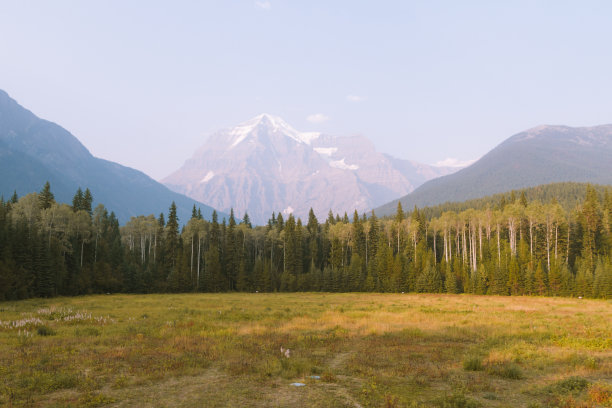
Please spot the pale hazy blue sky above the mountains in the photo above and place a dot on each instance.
(144, 82)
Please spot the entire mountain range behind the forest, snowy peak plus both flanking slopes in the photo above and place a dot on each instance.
(264, 165)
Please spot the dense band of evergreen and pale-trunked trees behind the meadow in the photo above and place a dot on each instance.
(510, 245)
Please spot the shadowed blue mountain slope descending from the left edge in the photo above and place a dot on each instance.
(33, 151)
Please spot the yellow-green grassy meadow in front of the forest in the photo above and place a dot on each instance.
(356, 350)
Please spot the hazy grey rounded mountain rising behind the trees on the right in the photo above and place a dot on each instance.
(542, 155)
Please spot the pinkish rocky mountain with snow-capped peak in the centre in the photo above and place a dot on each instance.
(265, 165)
